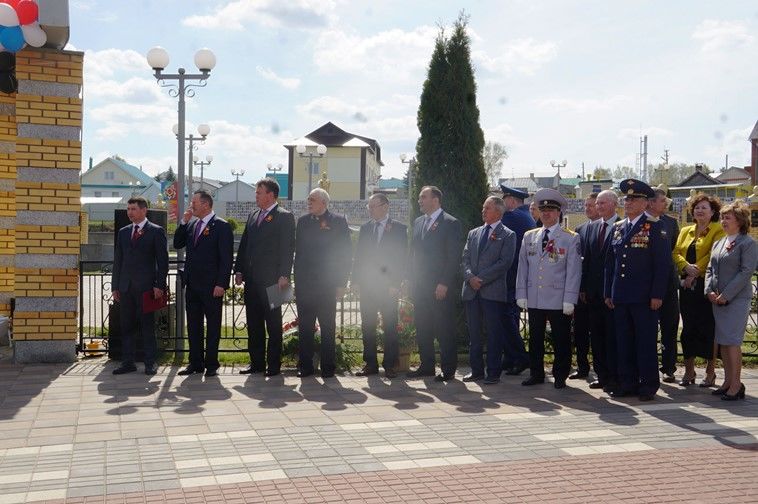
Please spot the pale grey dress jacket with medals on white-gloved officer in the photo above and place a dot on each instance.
(549, 278)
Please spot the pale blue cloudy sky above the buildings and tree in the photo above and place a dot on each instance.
(573, 80)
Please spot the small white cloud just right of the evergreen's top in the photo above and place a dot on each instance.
(525, 56)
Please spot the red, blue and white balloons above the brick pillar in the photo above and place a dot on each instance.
(19, 25)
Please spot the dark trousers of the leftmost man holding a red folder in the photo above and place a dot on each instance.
(133, 319)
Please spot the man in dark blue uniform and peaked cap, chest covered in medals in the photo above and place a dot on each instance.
(637, 268)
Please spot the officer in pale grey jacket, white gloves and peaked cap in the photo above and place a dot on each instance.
(547, 285)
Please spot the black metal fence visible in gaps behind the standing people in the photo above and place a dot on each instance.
(96, 310)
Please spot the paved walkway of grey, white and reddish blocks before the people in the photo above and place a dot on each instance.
(79, 433)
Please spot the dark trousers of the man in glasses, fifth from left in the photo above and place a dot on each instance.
(372, 303)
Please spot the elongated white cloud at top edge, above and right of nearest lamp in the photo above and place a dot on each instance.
(273, 13)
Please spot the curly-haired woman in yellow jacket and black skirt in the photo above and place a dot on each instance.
(691, 256)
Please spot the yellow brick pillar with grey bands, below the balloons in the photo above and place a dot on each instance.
(48, 119)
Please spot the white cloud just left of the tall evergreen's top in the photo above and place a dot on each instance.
(395, 52)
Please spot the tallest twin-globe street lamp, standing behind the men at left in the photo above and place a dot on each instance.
(205, 60)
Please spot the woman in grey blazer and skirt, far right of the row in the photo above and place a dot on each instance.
(729, 287)
